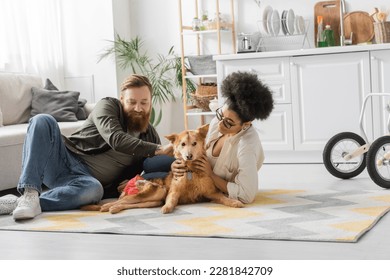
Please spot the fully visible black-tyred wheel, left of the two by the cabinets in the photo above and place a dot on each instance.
(337, 147)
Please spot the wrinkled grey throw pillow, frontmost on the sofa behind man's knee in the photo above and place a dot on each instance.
(62, 105)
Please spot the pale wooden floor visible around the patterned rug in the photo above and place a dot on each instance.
(374, 245)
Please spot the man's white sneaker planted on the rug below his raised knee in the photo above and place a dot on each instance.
(28, 205)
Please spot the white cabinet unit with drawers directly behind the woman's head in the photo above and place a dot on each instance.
(276, 132)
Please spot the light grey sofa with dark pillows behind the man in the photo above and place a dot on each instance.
(18, 94)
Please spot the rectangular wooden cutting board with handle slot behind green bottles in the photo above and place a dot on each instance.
(330, 12)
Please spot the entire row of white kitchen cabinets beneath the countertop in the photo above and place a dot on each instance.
(318, 93)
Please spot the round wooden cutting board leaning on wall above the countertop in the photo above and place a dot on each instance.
(362, 26)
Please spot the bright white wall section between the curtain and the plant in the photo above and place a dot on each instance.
(88, 24)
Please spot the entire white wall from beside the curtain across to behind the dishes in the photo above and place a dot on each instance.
(157, 22)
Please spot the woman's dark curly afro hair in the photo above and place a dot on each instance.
(247, 96)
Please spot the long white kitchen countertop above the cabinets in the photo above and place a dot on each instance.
(301, 52)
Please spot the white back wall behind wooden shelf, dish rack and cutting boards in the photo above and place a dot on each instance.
(157, 22)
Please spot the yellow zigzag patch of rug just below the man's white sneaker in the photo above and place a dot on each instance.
(68, 221)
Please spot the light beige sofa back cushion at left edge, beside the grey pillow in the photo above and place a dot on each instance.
(15, 96)
